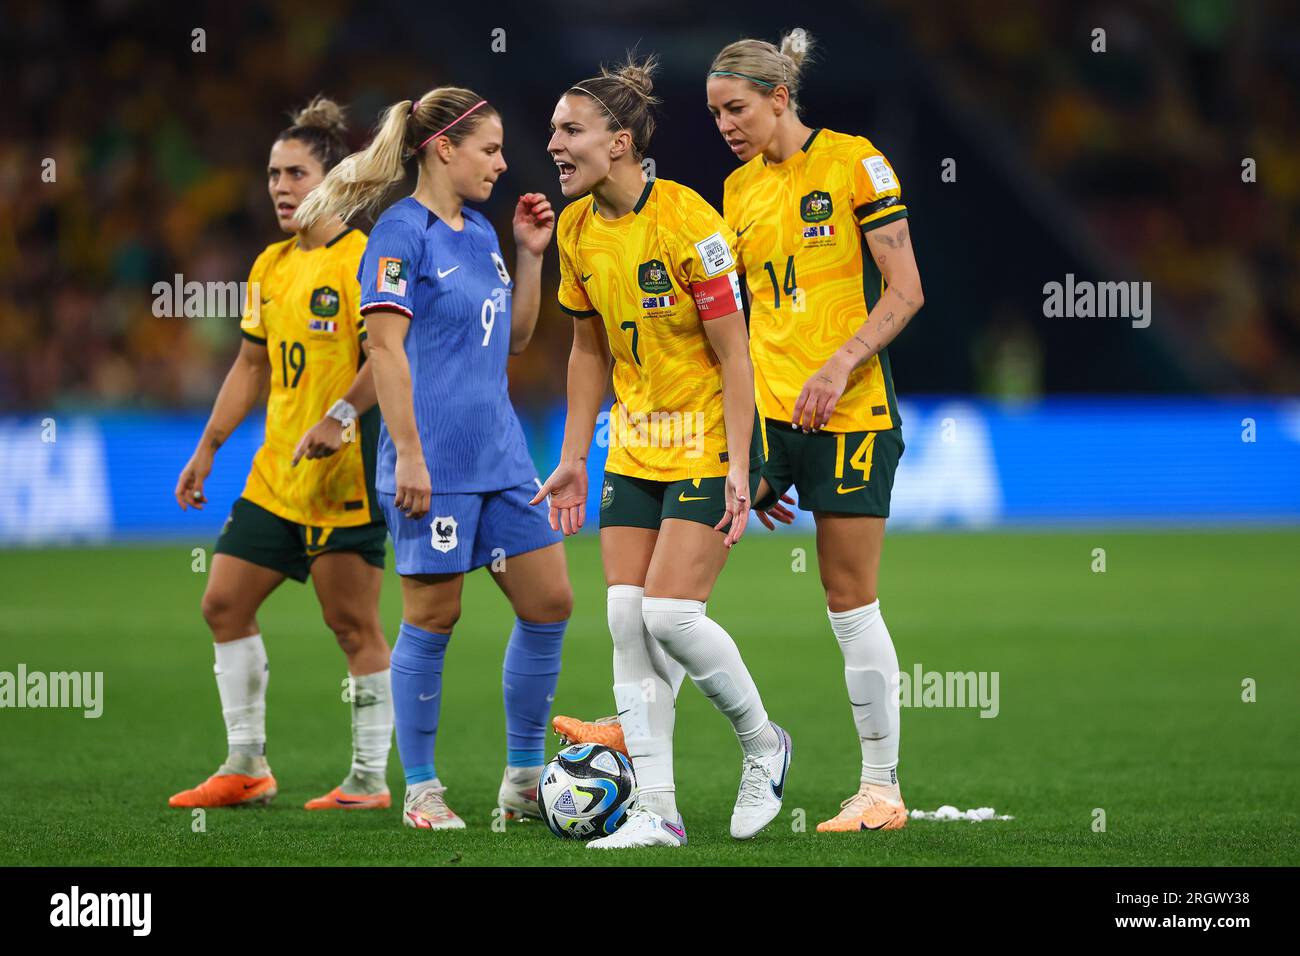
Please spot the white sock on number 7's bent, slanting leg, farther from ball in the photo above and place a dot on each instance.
(712, 659)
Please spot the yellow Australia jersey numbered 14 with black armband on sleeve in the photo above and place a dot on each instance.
(801, 227)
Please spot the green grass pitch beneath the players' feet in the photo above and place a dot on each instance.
(1120, 691)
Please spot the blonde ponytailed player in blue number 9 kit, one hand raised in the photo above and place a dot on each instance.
(454, 475)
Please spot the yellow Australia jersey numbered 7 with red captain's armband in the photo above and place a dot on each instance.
(655, 278)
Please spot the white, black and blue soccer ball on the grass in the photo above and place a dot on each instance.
(586, 791)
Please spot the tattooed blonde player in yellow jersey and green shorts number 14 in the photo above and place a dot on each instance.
(831, 276)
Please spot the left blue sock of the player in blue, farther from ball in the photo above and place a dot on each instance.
(417, 677)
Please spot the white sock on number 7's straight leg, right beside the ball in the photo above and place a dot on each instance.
(645, 698)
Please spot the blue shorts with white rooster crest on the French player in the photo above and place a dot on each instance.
(467, 531)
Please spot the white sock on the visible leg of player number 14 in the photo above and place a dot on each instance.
(870, 673)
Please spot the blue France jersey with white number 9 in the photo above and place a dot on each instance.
(457, 292)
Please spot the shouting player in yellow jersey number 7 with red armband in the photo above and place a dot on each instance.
(648, 272)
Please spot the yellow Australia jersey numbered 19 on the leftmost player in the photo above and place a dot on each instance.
(305, 308)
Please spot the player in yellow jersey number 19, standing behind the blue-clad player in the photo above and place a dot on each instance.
(304, 339)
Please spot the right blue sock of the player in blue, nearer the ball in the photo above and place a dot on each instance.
(530, 676)
